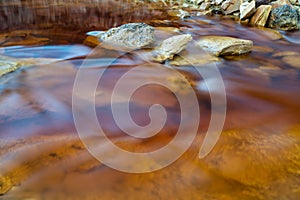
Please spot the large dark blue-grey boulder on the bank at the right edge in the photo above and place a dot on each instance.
(284, 17)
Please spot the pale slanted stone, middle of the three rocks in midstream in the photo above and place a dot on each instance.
(170, 47)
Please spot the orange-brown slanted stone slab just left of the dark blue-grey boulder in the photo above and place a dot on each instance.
(261, 15)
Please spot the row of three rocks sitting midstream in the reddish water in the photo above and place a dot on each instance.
(134, 36)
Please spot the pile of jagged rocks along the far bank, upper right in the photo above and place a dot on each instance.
(279, 14)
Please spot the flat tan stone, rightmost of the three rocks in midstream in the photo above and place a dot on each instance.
(223, 45)
